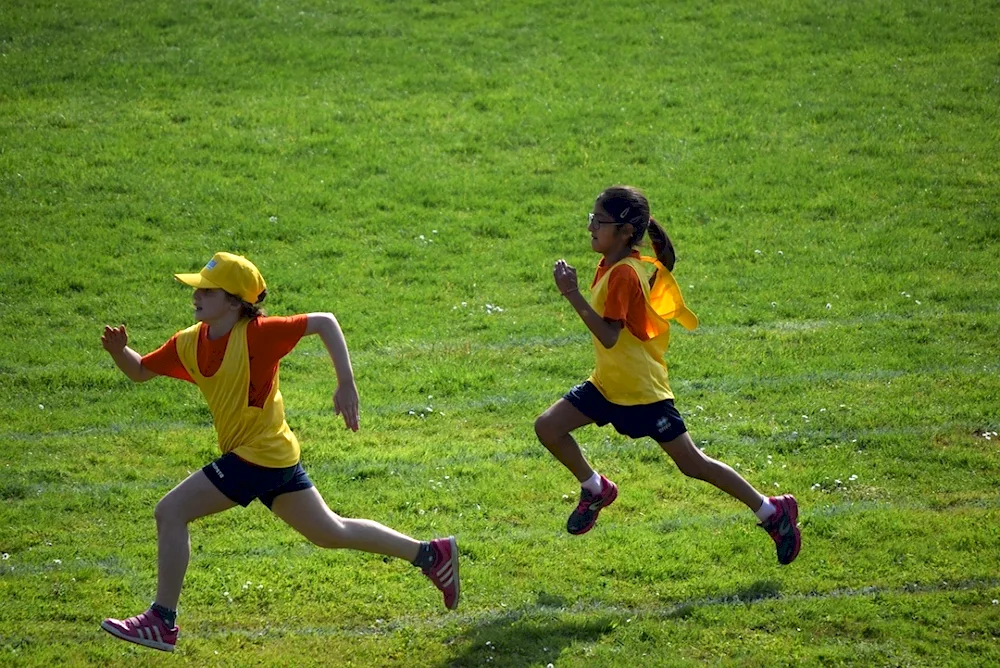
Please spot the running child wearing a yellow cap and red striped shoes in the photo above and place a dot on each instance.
(233, 353)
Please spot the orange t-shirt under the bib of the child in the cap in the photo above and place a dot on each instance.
(268, 340)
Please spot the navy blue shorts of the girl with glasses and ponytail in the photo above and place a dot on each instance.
(660, 421)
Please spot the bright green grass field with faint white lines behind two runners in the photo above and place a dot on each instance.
(828, 172)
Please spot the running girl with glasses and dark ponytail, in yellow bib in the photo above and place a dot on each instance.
(627, 315)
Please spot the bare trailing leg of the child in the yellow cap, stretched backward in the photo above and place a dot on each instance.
(306, 512)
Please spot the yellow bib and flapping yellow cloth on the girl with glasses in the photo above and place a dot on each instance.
(633, 372)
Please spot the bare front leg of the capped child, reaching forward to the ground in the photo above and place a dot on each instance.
(195, 497)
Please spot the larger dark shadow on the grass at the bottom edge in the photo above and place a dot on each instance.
(532, 635)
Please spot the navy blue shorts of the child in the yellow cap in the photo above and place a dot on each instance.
(243, 482)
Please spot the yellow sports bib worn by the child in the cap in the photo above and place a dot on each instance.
(259, 435)
